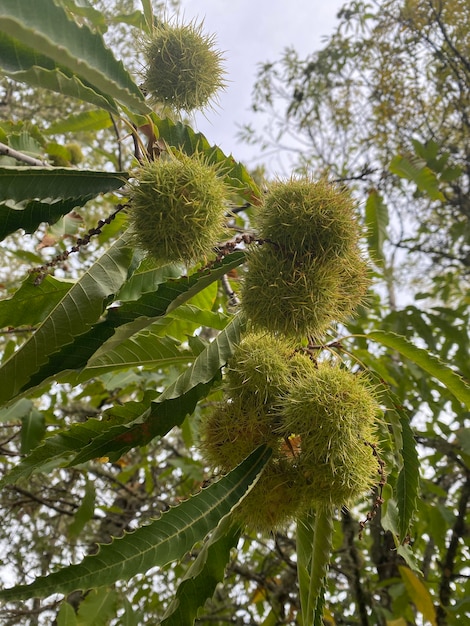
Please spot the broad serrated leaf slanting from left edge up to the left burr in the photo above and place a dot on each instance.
(81, 307)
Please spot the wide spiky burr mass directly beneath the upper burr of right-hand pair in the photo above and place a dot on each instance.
(301, 295)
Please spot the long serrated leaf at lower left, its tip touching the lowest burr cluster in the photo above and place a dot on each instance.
(162, 541)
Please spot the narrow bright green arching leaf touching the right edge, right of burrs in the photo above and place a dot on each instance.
(426, 361)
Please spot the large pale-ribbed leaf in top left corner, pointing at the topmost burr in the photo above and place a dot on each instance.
(45, 26)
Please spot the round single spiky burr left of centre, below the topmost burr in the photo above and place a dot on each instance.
(177, 208)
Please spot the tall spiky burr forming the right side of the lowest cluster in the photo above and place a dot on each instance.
(334, 414)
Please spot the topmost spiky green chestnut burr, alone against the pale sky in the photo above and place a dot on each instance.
(183, 67)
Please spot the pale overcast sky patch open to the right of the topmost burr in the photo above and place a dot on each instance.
(251, 32)
